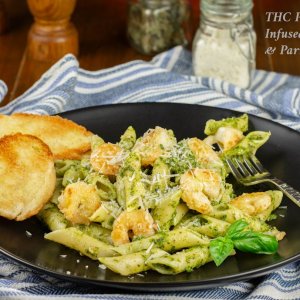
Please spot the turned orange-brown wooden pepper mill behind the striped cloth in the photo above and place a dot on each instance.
(52, 35)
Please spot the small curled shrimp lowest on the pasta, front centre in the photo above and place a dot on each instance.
(139, 222)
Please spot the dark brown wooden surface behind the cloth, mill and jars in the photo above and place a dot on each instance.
(102, 34)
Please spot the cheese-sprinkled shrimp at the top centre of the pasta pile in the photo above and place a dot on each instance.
(153, 144)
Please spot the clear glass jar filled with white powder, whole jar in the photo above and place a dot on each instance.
(224, 46)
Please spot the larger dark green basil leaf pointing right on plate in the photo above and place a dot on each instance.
(255, 242)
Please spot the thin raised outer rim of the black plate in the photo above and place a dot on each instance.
(160, 286)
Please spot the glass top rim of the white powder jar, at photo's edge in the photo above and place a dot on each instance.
(226, 7)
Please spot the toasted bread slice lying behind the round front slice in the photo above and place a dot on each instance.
(66, 139)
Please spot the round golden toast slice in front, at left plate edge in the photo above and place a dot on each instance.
(27, 176)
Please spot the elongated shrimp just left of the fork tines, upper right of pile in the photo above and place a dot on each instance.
(204, 153)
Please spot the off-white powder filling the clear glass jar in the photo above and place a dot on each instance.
(219, 56)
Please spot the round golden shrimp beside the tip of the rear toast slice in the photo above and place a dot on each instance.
(107, 158)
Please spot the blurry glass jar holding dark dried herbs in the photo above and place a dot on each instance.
(156, 25)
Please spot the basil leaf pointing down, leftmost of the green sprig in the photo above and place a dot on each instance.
(220, 248)
